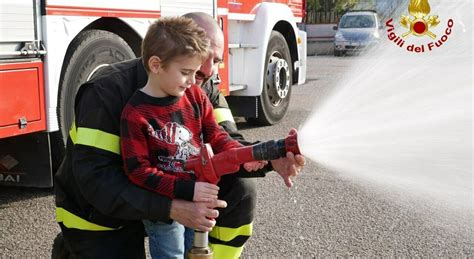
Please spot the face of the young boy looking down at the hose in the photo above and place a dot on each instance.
(177, 76)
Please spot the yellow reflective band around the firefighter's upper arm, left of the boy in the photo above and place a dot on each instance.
(95, 138)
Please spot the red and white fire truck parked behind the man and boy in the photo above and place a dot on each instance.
(48, 48)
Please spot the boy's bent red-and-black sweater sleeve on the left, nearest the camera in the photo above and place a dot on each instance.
(134, 131)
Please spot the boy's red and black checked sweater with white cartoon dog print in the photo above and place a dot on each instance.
(157, 134)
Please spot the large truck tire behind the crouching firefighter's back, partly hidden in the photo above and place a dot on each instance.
(88, 52)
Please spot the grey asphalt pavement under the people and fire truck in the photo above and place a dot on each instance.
(323, 215)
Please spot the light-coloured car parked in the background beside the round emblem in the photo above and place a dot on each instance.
(356, 31)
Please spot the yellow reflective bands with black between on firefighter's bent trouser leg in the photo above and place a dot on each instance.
(229, 242)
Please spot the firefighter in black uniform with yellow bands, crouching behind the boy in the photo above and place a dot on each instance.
(100, 211)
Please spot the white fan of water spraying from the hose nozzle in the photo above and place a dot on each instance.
(401, 116)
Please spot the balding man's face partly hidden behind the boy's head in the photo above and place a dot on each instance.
(211, 65)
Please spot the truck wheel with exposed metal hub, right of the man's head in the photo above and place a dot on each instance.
(275, 98)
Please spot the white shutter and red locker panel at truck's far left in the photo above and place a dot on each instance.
(21, 70)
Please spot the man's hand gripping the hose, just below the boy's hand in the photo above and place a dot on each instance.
(196, 215)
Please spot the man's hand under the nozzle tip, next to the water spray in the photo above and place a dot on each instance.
(289, 166)
